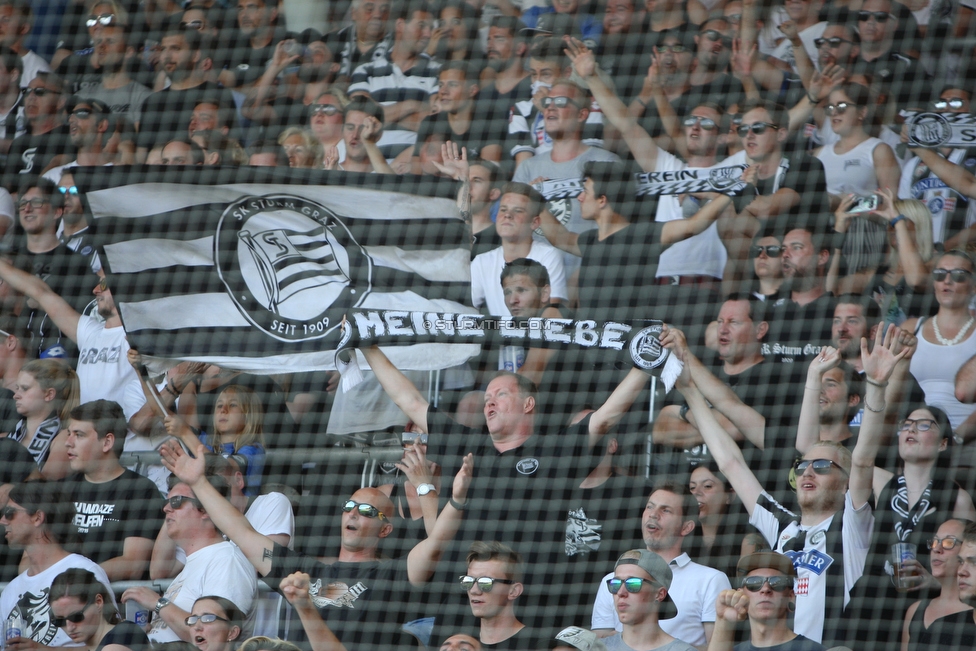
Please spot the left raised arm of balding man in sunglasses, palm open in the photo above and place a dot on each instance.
(258, 548)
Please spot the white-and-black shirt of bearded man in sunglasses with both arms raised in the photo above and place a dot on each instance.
(814, 561)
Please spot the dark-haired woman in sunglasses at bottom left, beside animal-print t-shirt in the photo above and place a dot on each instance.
(83, 609)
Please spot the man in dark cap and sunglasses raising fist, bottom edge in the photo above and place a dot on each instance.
(764, 597)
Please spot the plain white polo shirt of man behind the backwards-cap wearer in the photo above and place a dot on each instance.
(694, 589)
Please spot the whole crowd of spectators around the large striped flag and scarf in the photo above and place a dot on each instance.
(807, 484)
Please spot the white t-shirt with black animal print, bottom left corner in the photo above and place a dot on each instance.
(28, 596)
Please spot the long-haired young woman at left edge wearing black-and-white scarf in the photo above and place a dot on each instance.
(46, 392)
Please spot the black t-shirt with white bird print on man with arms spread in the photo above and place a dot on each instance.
(364, 604)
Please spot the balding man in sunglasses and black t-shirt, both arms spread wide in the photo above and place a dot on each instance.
(363, 596)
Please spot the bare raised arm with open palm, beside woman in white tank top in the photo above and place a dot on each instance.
(878, 366)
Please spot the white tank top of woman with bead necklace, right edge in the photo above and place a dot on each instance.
(934, 368)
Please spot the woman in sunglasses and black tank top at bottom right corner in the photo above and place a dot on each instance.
(941, 622)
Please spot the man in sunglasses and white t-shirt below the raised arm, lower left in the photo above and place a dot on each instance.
(214, 566)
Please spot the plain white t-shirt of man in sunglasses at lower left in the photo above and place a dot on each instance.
(221, 570)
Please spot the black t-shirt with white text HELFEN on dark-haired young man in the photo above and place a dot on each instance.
(128, 506)
